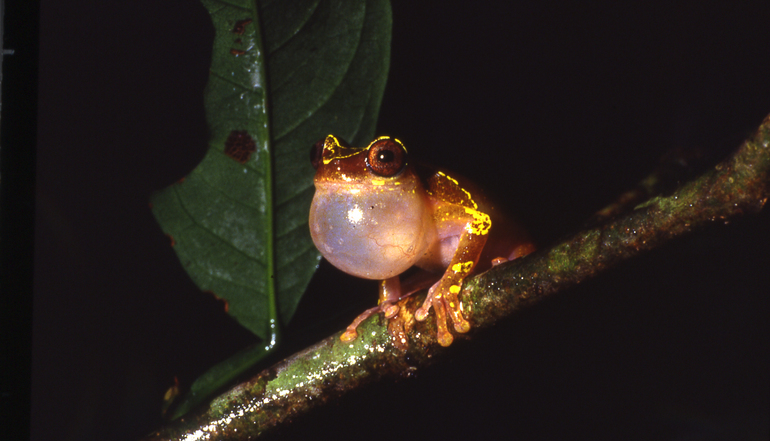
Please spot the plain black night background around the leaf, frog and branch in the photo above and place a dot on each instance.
(555, 109)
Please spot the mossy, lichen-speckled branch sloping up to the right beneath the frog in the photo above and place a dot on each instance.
(330, 368)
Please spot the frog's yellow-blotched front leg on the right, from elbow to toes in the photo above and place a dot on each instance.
(442, 296)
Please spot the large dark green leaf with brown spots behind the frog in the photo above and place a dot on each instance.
(238, 222)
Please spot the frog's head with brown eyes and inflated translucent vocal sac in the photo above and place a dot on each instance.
(369, 216)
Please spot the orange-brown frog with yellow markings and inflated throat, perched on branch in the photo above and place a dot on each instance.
(375, 214)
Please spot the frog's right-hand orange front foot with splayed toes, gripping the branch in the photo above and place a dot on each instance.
(447, 306)
